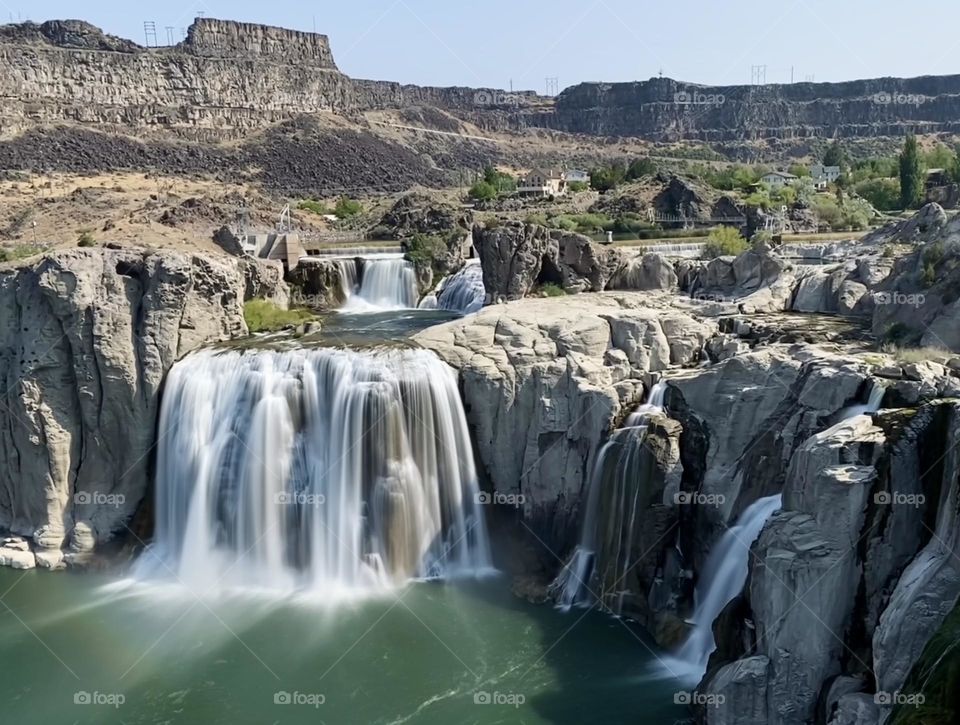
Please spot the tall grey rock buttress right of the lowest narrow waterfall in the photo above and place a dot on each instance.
(851, 579)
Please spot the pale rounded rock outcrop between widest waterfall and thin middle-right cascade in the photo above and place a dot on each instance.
(544, 380)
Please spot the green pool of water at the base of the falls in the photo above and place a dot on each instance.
(466, 652)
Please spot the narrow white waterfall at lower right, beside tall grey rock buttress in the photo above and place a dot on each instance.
(724, 576)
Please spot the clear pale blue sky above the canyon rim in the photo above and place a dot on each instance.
(490, 42)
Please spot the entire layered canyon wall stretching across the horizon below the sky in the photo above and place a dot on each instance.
(229, 78)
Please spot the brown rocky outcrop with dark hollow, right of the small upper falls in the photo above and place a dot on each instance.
(516, 258)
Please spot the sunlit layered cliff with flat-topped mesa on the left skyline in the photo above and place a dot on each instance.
(225, 76)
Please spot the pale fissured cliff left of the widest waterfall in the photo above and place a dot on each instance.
(86, 337)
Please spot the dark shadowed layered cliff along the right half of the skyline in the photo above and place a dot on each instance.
(669, 110)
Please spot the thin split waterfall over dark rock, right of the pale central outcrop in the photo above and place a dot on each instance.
(613, 475)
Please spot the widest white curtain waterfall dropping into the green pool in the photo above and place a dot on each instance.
(323, 470)
